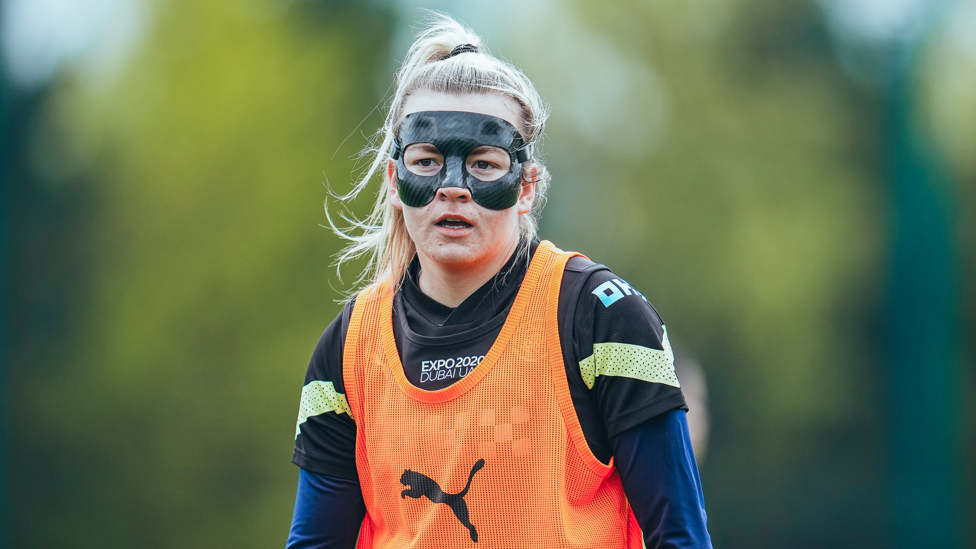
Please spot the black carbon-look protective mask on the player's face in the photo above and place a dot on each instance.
(455, 135)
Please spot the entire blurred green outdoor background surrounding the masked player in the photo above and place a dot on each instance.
(792, 183)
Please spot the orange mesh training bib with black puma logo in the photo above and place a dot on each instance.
(496, 460)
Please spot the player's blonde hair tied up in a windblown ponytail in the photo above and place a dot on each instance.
(429, 66)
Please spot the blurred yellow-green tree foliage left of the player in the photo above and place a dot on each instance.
(166, 418)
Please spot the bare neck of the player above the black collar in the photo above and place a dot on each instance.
(451, 284)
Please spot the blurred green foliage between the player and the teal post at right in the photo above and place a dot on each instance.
(757, 228)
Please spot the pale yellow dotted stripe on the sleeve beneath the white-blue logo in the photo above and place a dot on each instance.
(633, 361)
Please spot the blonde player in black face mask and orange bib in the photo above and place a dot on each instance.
(485, 389)
